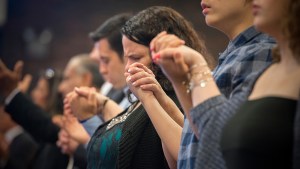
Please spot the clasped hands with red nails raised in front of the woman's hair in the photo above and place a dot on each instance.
(174, 58)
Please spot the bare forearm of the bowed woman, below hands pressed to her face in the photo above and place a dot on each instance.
(163, 124)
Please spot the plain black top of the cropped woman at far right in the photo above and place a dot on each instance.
(260, 135)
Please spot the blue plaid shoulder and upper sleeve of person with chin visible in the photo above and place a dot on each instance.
(235, 69)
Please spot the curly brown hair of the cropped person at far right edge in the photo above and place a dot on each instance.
(291, 29)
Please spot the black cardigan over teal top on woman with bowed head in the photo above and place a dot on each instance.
(139, 146)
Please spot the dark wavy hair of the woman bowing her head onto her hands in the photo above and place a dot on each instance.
(145, 25)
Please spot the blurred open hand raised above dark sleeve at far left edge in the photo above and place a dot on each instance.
(9, 79)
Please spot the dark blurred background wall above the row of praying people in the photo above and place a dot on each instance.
(46, 33)
